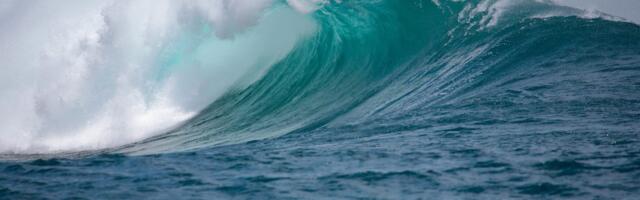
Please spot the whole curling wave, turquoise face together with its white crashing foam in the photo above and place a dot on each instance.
(194, 78)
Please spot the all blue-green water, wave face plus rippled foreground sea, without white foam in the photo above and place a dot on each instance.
(395, 100)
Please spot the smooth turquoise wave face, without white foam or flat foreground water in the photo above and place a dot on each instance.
(380, 61)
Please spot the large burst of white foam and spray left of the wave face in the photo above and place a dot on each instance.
(84, 74)
